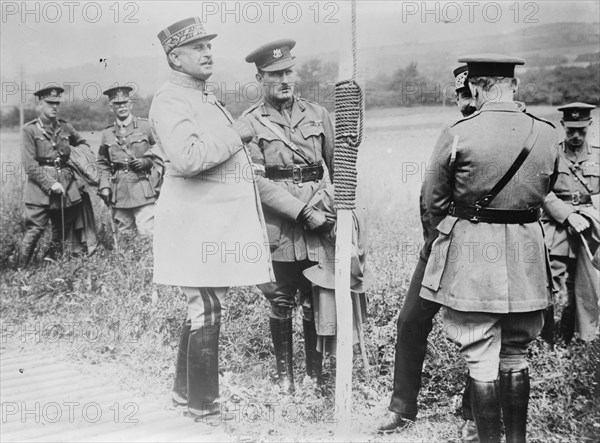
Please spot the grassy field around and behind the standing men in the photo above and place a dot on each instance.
(104, 314)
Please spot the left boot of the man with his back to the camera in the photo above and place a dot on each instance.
(485, 404)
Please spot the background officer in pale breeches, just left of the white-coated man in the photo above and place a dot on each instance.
(128, 171)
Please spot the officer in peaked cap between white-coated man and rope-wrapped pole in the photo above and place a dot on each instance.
(292, 150)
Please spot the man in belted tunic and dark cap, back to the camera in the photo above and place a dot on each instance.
(488, 265)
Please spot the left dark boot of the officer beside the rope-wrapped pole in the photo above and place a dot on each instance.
(281, 332)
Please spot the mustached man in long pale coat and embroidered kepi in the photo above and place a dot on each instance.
(209, 230)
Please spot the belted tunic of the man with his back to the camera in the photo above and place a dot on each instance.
(489, 267)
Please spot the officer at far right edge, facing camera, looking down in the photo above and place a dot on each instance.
(578, 181)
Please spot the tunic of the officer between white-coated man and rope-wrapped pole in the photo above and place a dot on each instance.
(309, 127)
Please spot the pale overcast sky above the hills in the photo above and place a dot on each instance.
(42, 36)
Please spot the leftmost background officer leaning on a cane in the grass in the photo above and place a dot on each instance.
(51, 191)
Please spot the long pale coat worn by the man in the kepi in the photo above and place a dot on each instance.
(208, 227)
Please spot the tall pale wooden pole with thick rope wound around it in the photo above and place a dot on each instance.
(348, 135)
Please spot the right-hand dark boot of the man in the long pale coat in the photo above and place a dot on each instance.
(203, 370)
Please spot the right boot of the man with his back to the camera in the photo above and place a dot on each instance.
(514, 394)
